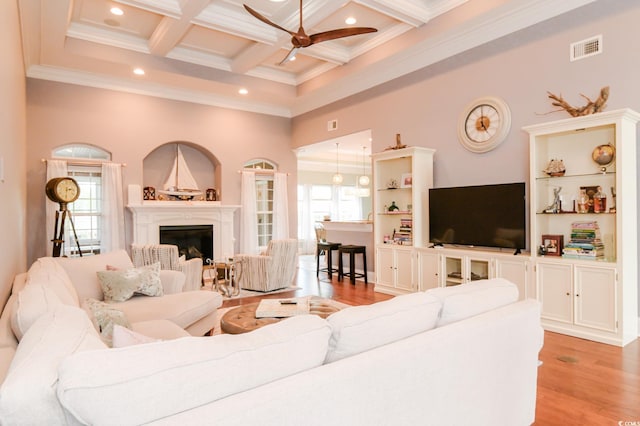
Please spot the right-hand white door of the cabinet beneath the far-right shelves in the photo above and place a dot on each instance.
(596, 297)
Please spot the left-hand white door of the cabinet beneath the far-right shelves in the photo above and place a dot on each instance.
(554, 291)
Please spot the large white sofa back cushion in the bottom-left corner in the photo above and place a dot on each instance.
(28, 393)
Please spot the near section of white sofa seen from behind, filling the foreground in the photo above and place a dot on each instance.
(454, 356)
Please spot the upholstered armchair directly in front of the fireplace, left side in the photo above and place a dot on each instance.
(169, 258)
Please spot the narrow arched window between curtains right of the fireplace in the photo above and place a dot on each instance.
(264, 198)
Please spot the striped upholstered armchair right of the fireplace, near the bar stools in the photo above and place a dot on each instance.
(273, 270)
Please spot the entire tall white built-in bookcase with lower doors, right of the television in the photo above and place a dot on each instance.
(589, 285)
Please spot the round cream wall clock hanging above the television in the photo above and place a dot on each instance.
(484, 124)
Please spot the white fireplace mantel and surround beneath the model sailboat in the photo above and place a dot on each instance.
(148, 216)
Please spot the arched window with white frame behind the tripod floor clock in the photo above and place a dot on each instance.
(84, 164)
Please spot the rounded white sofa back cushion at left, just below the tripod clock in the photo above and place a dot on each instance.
(47, 271)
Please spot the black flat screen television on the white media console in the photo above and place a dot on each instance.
(482, 215)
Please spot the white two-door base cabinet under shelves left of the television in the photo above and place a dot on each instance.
(394, 270)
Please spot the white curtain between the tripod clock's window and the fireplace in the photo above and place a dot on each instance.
(112, 226)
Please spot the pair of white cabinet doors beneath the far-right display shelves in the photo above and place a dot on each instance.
(577, 297)
